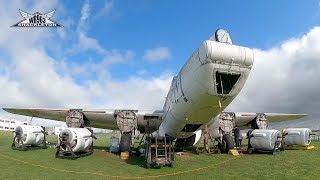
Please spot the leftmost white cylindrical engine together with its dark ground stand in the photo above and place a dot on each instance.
(26, 137)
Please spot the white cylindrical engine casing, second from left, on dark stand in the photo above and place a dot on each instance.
(80, 139)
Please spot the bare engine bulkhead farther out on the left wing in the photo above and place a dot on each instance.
(75, 118)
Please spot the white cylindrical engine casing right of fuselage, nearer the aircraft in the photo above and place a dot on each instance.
(264, 139)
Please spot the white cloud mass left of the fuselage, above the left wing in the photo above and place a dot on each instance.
(36, 79)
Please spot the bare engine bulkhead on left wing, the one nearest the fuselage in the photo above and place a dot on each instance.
(126, 120)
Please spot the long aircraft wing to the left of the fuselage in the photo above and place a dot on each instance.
(94, 118)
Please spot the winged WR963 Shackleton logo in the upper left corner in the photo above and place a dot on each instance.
(36, 20)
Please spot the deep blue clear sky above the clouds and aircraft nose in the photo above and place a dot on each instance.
(180, 26)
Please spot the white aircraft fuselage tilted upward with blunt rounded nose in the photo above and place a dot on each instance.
(193, 98)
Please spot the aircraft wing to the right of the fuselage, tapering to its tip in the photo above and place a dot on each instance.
(246, 118)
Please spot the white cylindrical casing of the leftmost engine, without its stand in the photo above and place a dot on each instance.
(30, 135)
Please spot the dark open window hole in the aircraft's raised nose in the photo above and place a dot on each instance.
(225, 82)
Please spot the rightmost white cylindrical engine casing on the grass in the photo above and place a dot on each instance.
(297, 136)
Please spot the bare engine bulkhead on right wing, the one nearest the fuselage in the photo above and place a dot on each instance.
(227, 122)
